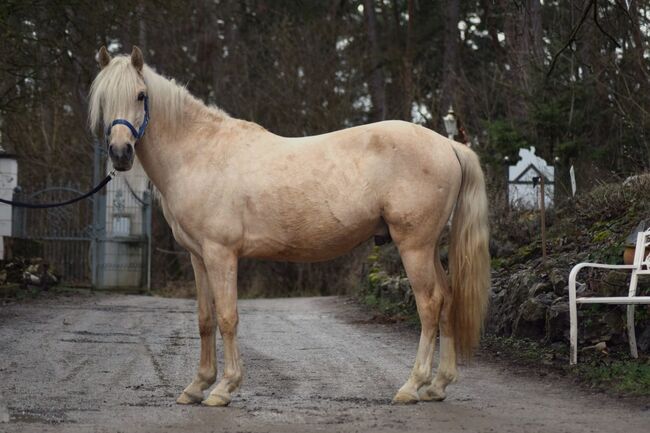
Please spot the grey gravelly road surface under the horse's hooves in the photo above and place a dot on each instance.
(116, 363)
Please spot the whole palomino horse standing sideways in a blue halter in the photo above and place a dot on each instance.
(230, 189)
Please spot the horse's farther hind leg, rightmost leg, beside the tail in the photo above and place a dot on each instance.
(447, 371)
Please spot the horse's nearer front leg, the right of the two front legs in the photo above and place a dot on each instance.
(221, 265)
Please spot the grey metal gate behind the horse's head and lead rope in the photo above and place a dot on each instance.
(103, 241)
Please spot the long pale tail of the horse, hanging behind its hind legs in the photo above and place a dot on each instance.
(469, 257)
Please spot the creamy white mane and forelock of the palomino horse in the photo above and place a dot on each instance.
(117, 84)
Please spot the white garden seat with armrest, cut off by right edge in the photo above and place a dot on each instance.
(640, 266)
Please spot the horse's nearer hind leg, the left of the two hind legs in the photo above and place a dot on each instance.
(421, 271)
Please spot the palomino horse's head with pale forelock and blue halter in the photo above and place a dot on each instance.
(119, 101)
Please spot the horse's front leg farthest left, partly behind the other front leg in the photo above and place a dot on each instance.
(207, 373)
